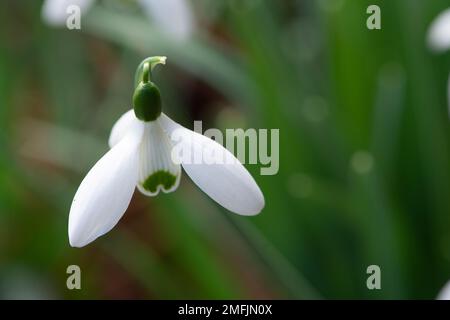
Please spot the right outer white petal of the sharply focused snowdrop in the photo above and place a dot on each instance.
(229, 184)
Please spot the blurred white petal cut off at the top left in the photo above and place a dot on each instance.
(54, 12)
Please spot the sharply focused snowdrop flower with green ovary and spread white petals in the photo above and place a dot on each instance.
(142, 143)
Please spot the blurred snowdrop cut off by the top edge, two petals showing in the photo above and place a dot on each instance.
(174, 17)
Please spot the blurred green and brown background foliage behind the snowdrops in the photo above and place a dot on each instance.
(364, 151)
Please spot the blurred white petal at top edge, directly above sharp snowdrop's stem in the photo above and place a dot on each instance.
(172, 16)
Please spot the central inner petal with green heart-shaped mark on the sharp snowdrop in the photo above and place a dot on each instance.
(157, 171)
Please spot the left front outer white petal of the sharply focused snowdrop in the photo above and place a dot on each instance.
(106, 191)
